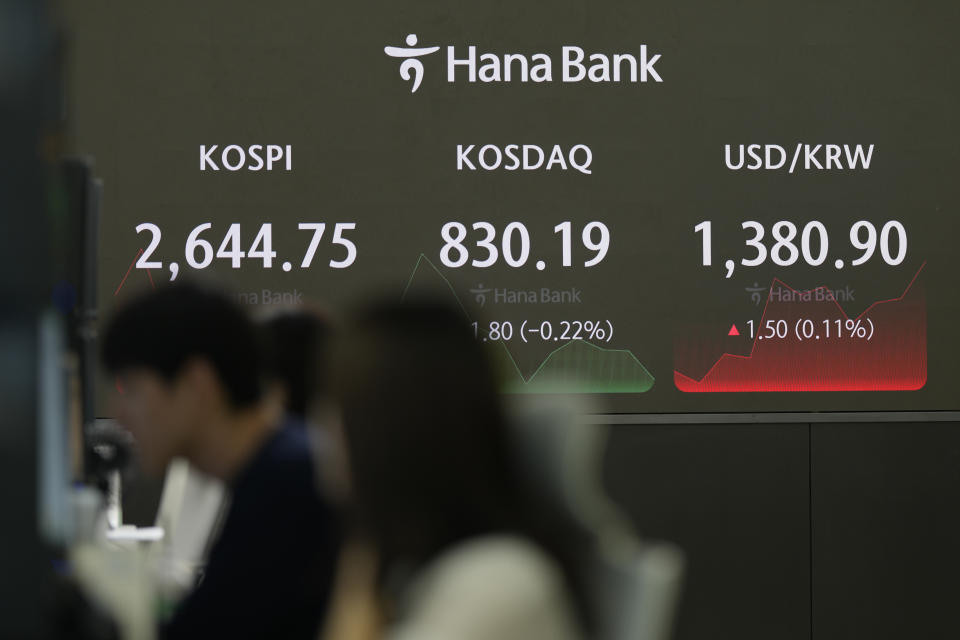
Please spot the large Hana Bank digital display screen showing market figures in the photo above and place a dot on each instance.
(678, 207)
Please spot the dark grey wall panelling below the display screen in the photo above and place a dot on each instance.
(824, 531)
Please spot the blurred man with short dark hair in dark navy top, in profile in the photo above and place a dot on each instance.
(188, 364)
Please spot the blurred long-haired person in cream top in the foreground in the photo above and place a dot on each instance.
(450, 547)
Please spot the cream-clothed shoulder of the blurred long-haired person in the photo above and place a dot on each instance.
(492, 587)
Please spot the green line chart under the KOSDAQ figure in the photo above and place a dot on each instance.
(578, 366)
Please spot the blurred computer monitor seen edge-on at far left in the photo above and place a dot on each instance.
(67, 341)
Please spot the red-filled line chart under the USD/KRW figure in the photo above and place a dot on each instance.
(822, 348)
